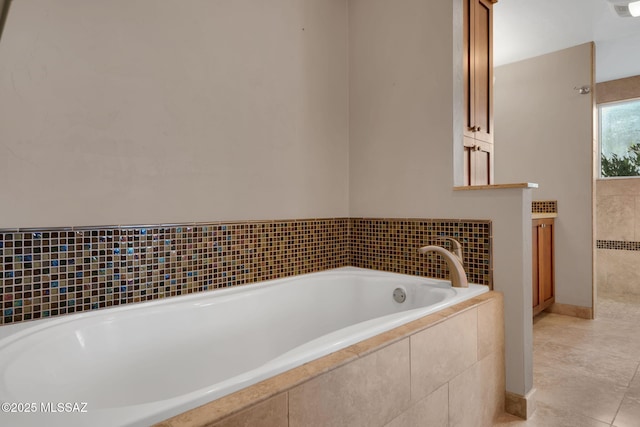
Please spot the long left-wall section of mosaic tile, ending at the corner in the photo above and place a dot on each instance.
(54, 272)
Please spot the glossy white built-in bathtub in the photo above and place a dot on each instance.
(140, 364)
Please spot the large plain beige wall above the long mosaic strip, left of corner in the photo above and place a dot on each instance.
(123, 112)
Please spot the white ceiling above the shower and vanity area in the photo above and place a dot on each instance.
(528, 28)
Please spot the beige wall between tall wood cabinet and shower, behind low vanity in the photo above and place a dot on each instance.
(544, 134)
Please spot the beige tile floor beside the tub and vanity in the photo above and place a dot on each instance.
(586, 372)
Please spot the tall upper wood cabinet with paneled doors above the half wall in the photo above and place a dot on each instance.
(478, 91)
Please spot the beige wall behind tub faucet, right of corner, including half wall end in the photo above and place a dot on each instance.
(405, 85)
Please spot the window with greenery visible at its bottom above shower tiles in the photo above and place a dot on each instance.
(620, 139)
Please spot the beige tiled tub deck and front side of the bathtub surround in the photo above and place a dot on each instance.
(445, 369)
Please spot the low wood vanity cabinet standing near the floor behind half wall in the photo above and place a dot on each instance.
(542, 264)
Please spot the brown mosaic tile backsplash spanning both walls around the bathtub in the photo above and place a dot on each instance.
(53, 272)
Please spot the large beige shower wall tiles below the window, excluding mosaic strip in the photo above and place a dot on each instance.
(618, 219)
